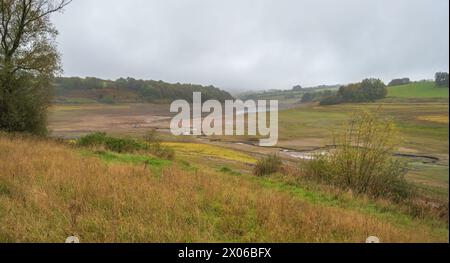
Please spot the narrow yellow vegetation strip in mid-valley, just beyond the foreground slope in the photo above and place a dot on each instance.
(212, 151)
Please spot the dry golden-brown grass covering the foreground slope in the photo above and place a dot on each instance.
(48, 191)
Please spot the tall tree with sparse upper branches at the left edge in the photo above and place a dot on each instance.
(28, 62)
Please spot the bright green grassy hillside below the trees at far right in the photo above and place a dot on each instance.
(421, 90)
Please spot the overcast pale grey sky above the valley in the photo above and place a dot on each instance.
(255, 44)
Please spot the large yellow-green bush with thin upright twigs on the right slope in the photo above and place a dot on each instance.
(363, 160)
